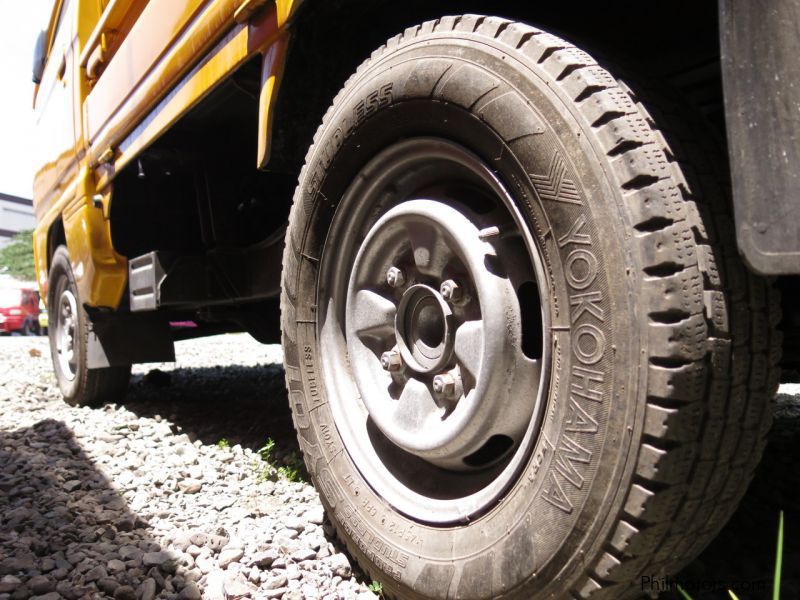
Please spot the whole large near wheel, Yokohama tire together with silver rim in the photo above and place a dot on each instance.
(607, 261)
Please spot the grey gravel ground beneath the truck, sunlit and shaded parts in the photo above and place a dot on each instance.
(146, 500)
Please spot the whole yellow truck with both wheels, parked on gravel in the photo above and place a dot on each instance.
(530, 342)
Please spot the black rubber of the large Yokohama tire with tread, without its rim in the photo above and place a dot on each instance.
(668, 436)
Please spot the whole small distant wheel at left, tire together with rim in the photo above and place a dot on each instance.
(80, 385)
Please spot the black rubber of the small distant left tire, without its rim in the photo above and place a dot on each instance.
(89, 387)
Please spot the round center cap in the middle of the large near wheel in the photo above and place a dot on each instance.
(424, 329)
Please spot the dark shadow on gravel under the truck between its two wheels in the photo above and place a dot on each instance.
(243, 405)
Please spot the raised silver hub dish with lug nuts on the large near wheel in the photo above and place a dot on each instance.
(453, 387)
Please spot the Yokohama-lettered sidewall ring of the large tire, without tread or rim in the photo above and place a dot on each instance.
(559, 506)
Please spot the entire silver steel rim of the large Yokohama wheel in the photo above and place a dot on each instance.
(428, 306)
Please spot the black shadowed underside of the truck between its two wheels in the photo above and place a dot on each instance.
(196, 200)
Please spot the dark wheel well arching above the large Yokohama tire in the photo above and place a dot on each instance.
(322, 56)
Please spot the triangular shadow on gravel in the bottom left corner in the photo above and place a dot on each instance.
(61, 522)
